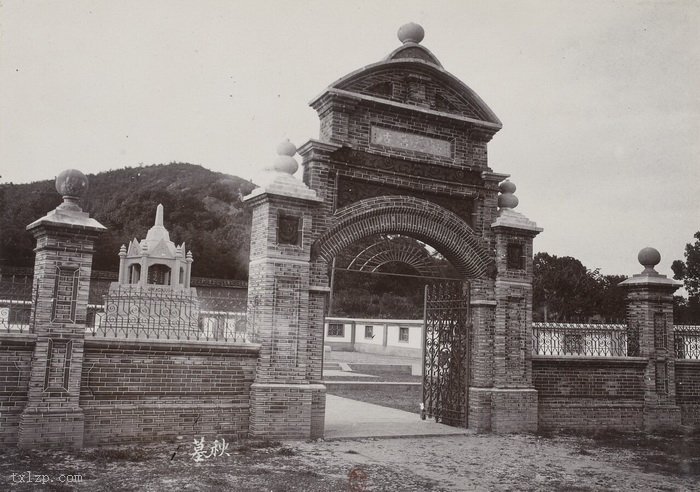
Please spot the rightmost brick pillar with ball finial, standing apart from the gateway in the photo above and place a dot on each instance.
(650, 324)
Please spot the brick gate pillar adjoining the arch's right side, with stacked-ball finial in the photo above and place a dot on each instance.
(514, 398)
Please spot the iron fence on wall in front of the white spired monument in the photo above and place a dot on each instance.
(160, 313)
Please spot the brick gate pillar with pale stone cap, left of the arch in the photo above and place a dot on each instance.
(284, 398)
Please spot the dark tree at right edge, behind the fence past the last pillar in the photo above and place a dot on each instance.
(688, 311)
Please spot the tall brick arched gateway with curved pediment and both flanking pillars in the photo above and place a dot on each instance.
(402, 150)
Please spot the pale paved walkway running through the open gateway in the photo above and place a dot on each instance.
(352, 419)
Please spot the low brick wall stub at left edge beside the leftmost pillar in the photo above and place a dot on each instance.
(15, 368)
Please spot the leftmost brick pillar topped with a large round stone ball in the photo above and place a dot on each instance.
(62, 267)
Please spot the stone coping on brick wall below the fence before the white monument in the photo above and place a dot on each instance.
(186, 346)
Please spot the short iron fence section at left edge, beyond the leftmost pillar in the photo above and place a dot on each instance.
(16, 303)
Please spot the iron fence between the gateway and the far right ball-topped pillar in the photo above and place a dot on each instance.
(585, 339)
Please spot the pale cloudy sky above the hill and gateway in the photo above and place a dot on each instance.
(600, 100)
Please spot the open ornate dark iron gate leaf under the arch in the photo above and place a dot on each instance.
(445, 352)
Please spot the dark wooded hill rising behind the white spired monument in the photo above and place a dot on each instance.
(202, 208)
